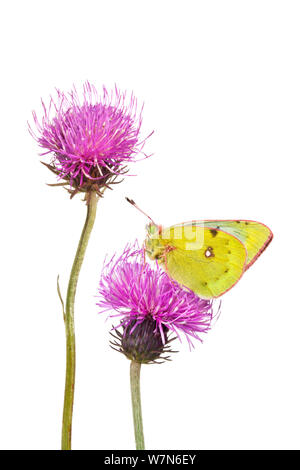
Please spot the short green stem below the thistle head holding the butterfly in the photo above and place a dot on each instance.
(135, 369)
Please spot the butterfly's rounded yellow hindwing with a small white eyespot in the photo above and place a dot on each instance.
(205, 262)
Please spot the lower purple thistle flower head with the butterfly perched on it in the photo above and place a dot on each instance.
(150, 306)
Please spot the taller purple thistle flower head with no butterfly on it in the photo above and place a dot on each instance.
(91, 137)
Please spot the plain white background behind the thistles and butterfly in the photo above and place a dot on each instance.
(220, 82)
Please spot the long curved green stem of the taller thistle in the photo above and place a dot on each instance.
(92, 199)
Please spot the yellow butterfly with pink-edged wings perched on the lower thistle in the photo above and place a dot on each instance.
(209, 257)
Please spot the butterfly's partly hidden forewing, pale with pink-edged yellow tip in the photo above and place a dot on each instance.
(254, 235)
